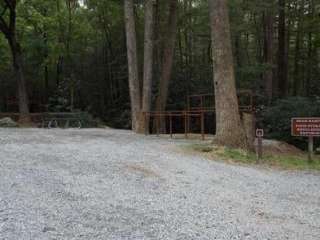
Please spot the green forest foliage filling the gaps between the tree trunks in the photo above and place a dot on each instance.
(84, 49)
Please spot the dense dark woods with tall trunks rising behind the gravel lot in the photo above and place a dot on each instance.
(110, 57)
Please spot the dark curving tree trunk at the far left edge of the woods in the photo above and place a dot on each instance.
(9, 31)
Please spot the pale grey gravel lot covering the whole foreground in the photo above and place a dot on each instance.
(113, 184)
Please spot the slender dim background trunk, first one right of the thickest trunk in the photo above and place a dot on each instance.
(268, 54)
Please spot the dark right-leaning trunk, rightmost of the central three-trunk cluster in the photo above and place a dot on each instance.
(167, 61)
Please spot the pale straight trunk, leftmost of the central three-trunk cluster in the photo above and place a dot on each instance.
(134, 84)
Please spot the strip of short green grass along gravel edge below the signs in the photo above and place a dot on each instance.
(287, 162)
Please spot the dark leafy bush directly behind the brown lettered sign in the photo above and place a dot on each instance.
(276, 120)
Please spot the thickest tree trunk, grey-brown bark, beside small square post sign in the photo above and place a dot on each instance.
(230, 130)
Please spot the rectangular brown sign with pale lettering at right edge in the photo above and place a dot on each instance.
(305, 127)
